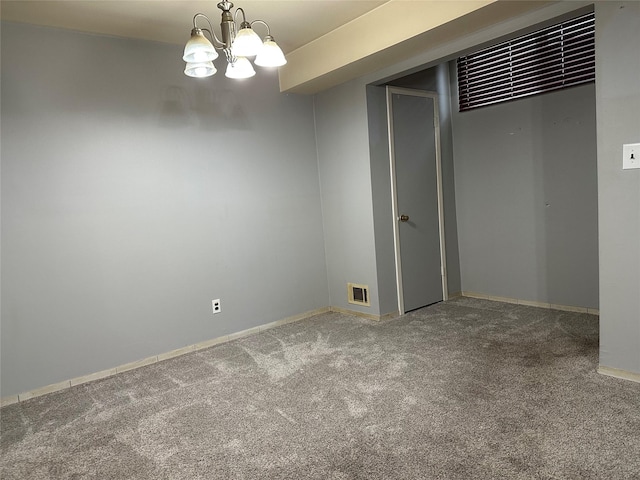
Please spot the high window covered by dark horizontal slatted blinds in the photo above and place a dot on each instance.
(555, 57)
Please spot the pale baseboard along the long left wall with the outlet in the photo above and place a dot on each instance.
(56, 387)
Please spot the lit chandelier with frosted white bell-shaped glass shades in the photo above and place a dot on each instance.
(236, 43)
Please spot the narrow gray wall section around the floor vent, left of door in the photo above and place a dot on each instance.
(345, 178)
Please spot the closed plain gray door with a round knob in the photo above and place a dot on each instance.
(415, 159)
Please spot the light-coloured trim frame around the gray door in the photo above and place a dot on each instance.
(394, 189)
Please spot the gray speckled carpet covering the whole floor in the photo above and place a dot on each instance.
(467, 389)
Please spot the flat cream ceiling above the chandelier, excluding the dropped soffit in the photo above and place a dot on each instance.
(293, 23)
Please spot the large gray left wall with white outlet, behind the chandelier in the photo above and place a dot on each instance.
(133, 195)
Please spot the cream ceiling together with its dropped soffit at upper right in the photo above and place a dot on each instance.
(327, 42)
